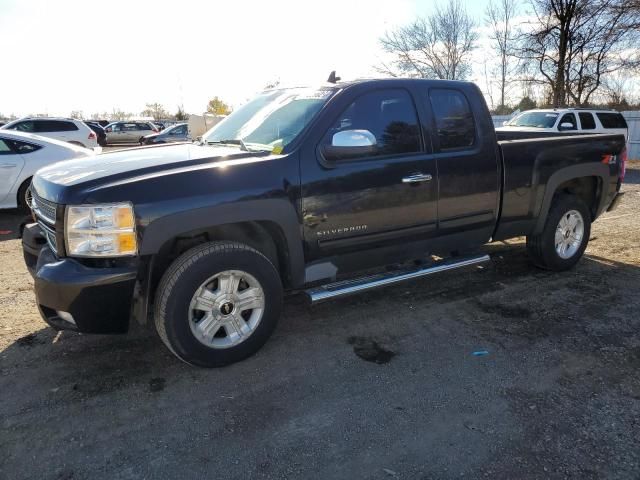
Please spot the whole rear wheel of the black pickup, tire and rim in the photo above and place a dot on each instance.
(565, 235)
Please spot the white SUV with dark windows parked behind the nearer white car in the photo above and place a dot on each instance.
(64, 129)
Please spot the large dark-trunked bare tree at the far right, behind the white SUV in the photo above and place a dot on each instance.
(575, 44)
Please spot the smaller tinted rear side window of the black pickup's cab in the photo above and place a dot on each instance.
(454, 121)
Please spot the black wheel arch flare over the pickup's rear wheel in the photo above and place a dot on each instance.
(588, 182)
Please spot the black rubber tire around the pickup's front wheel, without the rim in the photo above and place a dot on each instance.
(186, 274)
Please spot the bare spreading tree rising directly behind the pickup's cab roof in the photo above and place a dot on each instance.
(435, 46)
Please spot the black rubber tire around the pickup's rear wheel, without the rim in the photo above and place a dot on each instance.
(542, 248)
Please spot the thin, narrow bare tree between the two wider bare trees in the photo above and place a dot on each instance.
(500, 20)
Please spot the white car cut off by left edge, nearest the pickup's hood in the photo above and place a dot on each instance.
(21, 154)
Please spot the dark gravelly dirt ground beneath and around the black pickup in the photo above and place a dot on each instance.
(557, 394)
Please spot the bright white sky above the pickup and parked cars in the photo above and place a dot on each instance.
(64, 55)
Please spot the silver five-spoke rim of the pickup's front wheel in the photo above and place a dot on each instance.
(226, 309)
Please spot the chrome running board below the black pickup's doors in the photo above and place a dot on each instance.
(350, 287)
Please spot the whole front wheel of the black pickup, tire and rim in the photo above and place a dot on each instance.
(218, 303)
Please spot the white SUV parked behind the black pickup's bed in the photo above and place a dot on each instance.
(568, 120)
